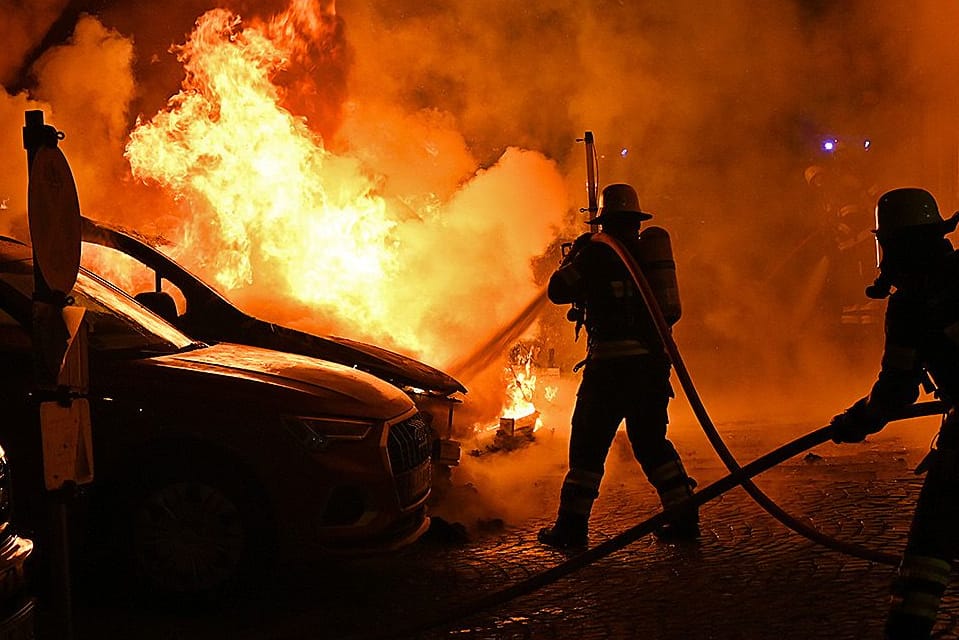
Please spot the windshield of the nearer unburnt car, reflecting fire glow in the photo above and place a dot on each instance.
(114, 321)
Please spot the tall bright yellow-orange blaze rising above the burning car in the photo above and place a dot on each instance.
(263, 185)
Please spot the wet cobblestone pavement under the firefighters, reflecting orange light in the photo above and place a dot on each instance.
(748, 577)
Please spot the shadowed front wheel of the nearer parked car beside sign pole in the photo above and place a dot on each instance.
(194, 528)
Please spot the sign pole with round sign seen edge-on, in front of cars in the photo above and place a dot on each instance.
(59, 348)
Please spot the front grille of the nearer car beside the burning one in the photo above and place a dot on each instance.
(409, 449)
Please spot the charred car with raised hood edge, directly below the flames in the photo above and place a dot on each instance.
(206, 315)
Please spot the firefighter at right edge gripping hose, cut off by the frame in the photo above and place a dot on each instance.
(921, 269)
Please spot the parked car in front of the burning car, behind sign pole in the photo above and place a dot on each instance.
(214, 461)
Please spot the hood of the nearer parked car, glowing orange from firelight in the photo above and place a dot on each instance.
(343, 388)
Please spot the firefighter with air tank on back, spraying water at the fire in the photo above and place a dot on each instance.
(626, 375)
